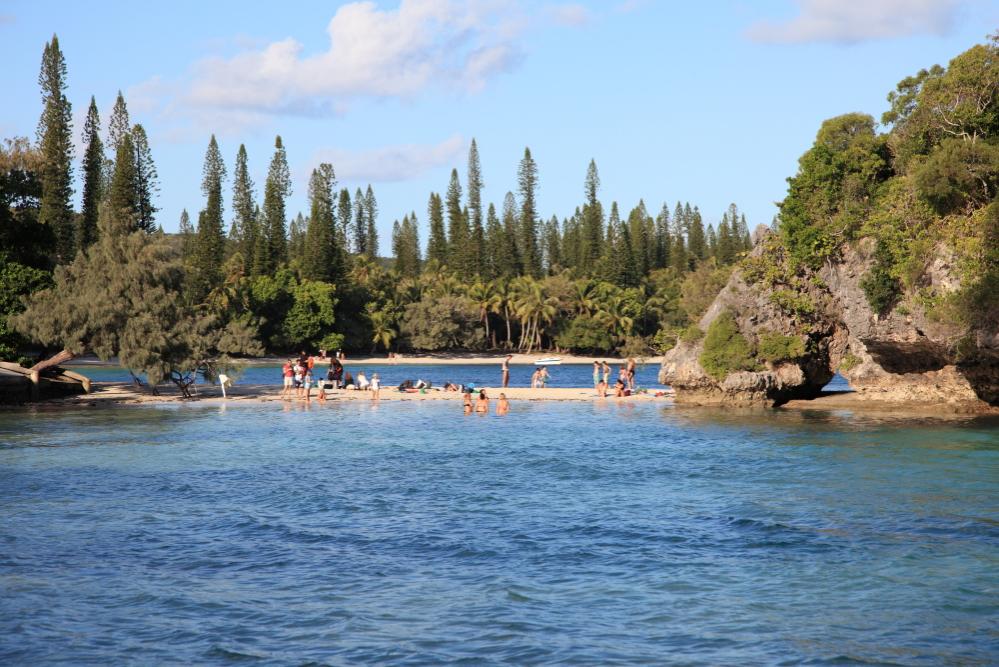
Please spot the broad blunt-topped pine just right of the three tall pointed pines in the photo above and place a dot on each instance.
(320, 257)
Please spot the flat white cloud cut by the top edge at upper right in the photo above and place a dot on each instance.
(851, 21)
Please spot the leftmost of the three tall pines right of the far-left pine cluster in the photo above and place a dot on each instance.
(209, 248)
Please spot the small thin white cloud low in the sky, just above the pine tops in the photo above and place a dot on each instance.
(391, 163)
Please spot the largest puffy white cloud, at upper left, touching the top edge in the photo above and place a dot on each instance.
(372, 53)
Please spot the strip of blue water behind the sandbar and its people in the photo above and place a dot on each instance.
(483, 375)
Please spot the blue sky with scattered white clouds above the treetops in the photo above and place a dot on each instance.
(708, 102)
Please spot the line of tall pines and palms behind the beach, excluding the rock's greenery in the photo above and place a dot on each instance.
(103, 277)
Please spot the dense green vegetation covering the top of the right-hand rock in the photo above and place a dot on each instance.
(930, 181)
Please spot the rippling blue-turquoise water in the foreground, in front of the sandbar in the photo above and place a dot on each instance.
(574, 533)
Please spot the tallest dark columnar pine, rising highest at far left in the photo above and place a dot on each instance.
(55, 142)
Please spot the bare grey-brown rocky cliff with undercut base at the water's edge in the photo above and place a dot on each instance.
(913, 353)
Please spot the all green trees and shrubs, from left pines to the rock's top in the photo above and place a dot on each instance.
(490, 275)
